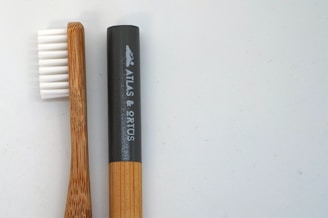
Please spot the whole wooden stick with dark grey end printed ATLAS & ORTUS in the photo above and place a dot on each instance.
(124, 122)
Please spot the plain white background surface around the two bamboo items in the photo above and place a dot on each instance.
(234, 108)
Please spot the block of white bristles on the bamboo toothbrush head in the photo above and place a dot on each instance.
(53, 63)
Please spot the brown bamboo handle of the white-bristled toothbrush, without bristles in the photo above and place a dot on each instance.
(78, 203)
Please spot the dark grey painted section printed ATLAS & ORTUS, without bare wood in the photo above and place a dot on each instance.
(124, 93)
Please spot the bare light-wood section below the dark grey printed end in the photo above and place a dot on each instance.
(125, 190)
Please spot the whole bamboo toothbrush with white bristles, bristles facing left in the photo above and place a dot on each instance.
(62, 73)
